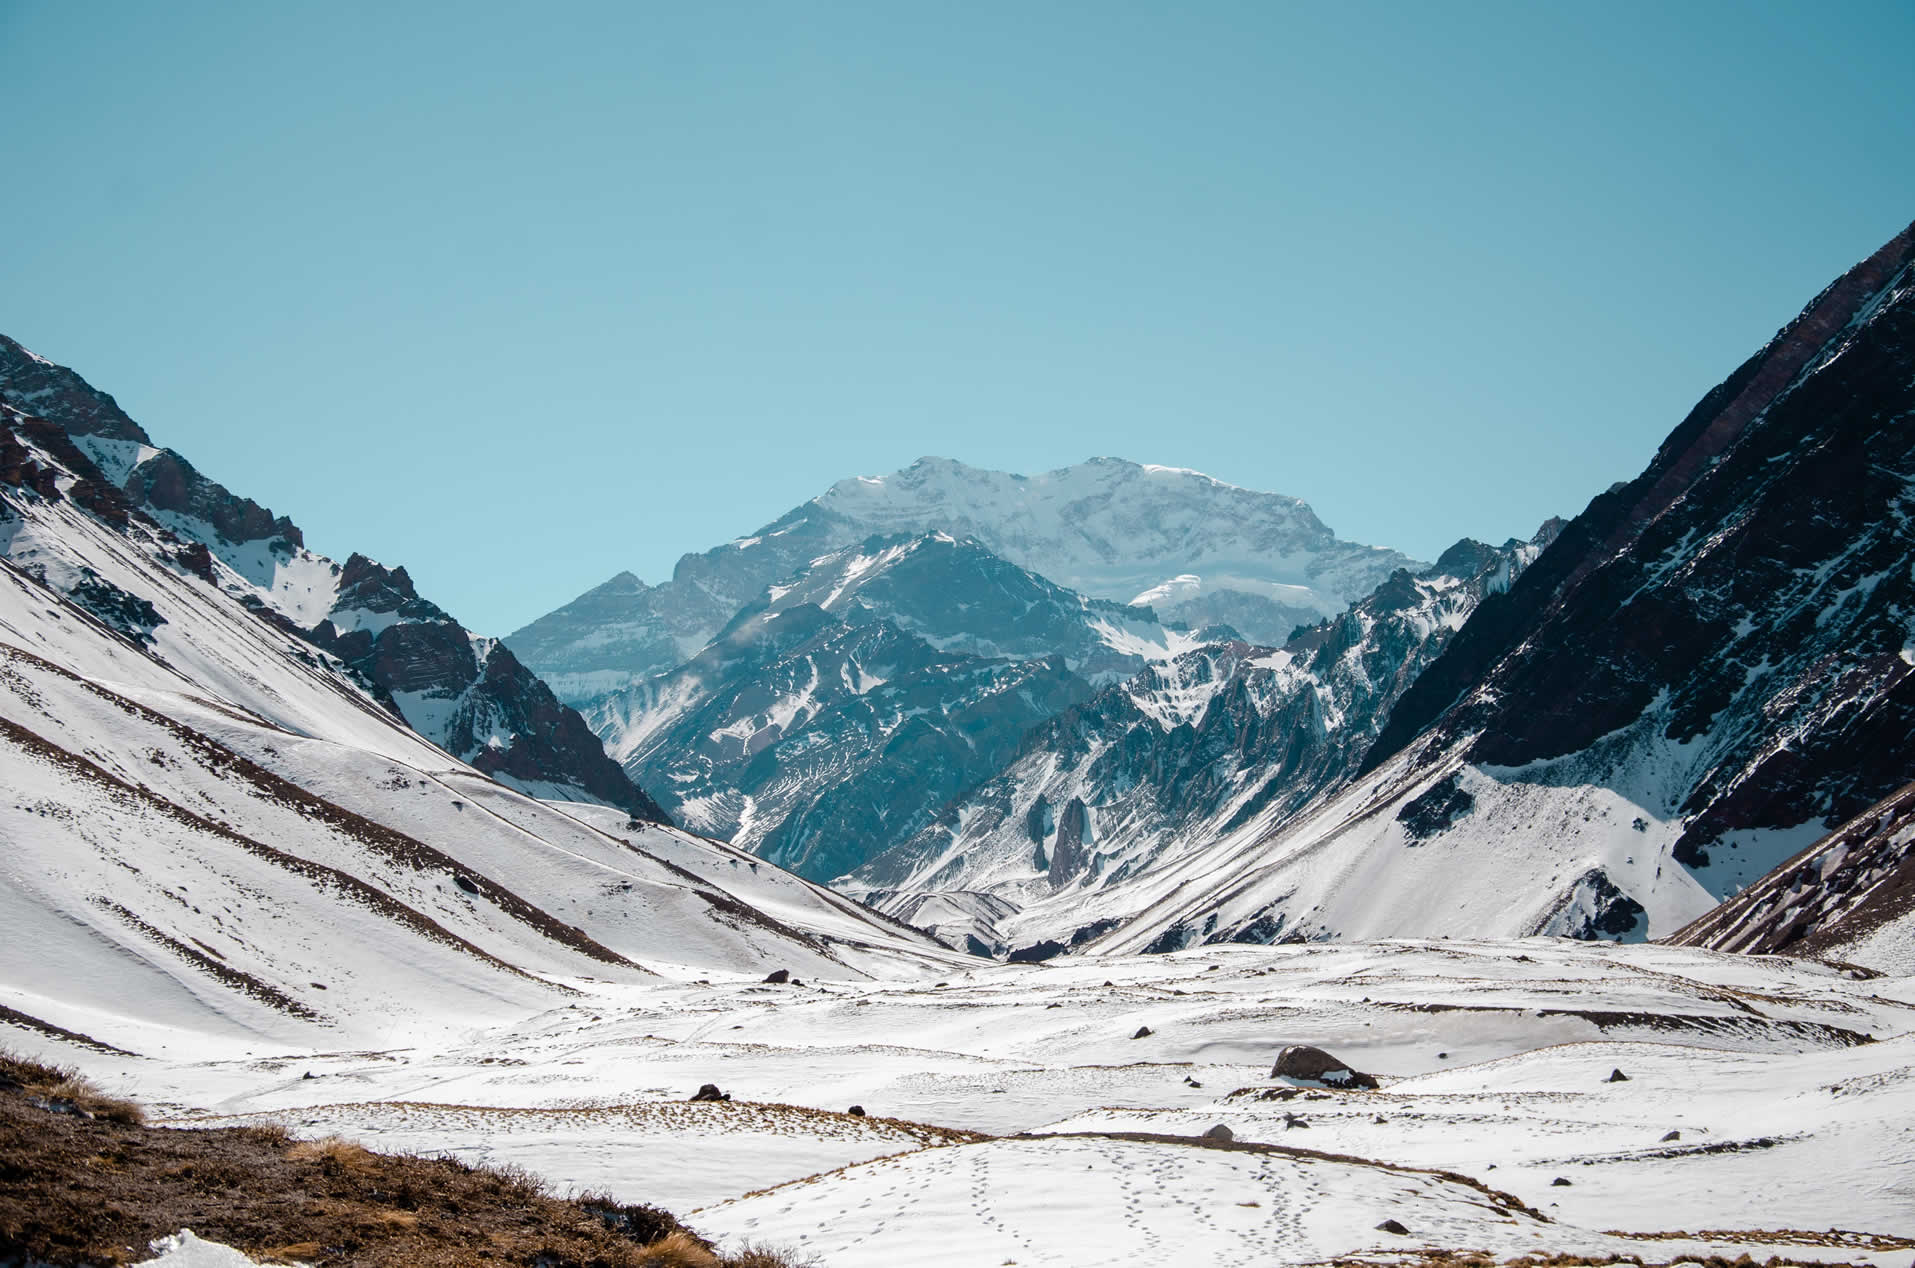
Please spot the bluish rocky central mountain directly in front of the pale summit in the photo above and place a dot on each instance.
(844, 708)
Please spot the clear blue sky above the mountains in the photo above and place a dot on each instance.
(522, 296)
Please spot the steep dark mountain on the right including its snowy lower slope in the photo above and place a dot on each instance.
(1705, 673)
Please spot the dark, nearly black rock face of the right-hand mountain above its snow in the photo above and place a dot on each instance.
(1753, 583)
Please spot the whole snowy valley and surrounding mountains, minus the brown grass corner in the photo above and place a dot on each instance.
(941, 872)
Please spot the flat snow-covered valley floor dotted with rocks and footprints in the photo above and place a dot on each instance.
(1016, 1118)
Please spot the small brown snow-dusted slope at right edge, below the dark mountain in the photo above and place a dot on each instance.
(1853, 886)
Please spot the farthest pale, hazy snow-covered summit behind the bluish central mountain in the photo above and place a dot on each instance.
(1192, 549)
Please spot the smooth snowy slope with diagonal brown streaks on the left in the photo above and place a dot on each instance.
(215, 830)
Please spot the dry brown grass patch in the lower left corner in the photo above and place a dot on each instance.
(85, 1183)
